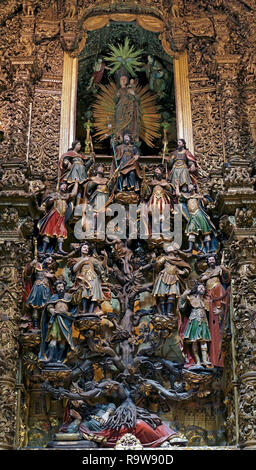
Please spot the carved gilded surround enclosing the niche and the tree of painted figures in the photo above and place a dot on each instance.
(35, 34)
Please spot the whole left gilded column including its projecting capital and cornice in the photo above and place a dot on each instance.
(17, 209)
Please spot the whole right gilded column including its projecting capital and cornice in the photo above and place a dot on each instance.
(237, 203)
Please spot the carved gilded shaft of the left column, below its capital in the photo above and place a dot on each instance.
(11, 253)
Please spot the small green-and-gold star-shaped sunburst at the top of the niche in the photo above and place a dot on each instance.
(124, 56)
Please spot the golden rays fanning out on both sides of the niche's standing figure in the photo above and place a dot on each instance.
(104, 113)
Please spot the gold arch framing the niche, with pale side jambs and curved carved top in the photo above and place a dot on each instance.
(70, 72)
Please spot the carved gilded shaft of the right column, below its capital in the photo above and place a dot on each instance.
(243, 262)
